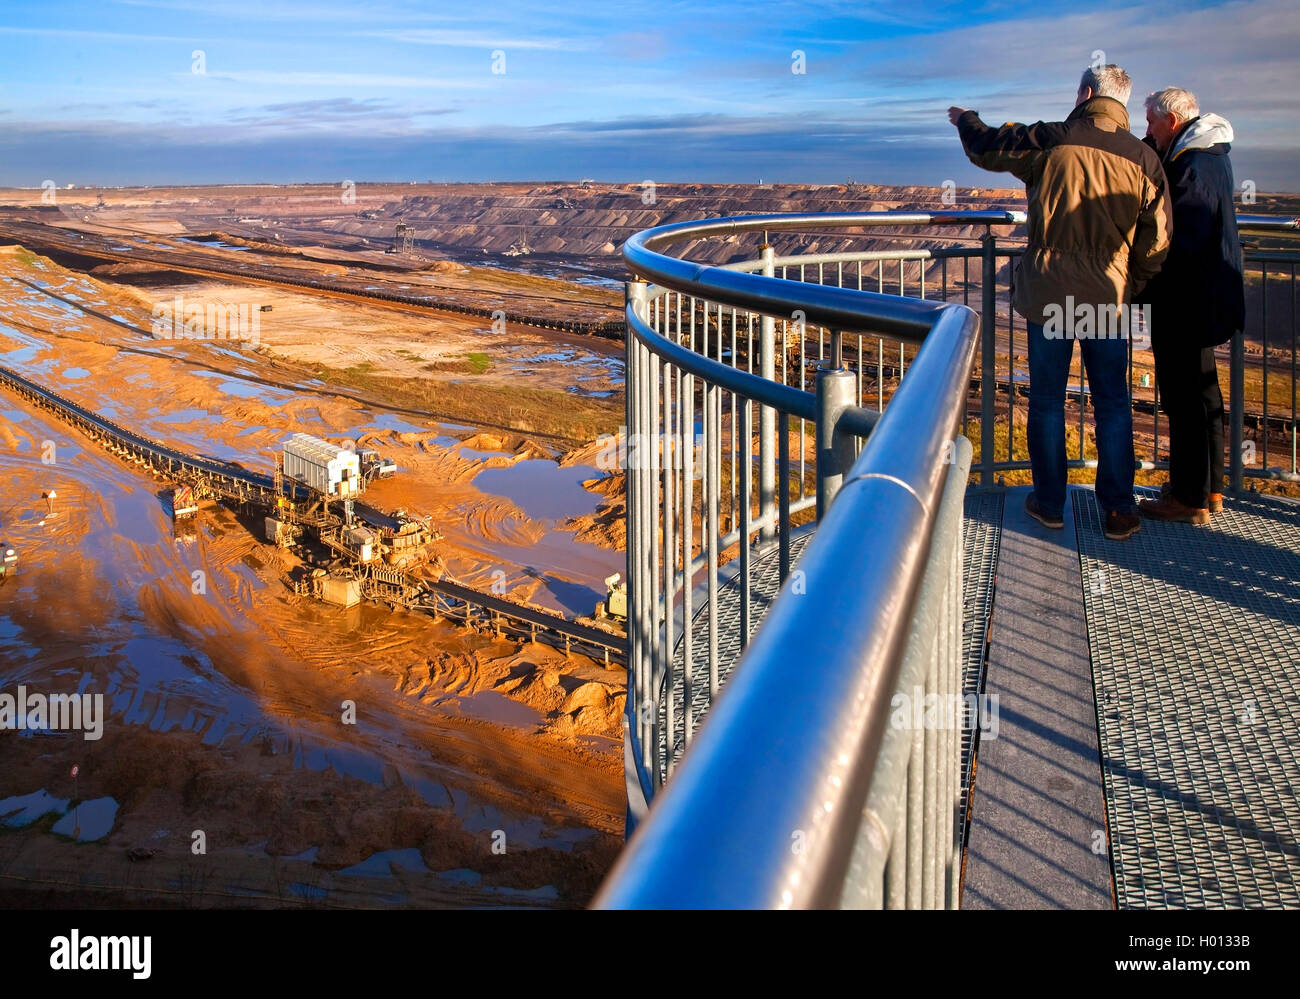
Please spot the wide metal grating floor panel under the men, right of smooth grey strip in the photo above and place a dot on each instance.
(1195, 645)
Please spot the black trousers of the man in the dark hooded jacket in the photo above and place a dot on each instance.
(1190, 396)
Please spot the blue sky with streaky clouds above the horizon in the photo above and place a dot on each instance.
(197, 92)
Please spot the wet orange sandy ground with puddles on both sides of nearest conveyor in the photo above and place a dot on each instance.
(226, 706)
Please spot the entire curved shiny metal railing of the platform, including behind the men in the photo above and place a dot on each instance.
(850, 810)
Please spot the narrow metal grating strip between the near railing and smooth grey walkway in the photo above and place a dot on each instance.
(982, 534)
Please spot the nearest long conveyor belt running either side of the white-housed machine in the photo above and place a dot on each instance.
(232, 483)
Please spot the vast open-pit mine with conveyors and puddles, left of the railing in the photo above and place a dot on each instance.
(307, 487)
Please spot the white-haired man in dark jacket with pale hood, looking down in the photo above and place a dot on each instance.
(1197, 302)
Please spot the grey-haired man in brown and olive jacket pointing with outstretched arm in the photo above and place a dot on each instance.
(1098, 232)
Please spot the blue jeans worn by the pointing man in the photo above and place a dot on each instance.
(1107, 364)
